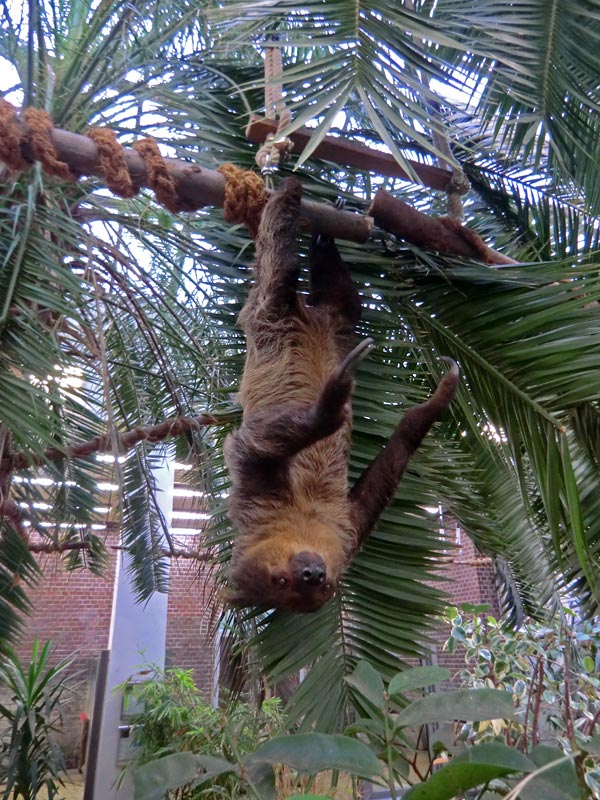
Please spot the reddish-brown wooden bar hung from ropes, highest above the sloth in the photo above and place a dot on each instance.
(351, 154)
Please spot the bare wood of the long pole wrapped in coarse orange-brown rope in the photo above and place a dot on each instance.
(196, 185)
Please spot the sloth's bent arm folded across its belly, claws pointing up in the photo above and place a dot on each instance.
(270, 436)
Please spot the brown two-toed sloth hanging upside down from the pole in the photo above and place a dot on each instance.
(298, 523)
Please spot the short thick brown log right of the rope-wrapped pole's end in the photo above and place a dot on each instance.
(442, 235)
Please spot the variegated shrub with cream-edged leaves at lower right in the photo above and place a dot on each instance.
(552, 672)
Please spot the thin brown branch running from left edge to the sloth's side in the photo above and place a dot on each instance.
(119, 442)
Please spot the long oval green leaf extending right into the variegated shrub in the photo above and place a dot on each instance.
(461, 704)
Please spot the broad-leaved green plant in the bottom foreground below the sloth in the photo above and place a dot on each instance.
(378, 746)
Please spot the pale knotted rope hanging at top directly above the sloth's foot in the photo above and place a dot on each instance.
(275, 149)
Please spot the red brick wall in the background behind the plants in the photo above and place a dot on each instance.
(73, 611)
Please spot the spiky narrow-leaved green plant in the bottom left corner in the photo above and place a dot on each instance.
(30, 759)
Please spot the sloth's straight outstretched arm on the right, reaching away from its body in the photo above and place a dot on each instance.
(376, 487)
